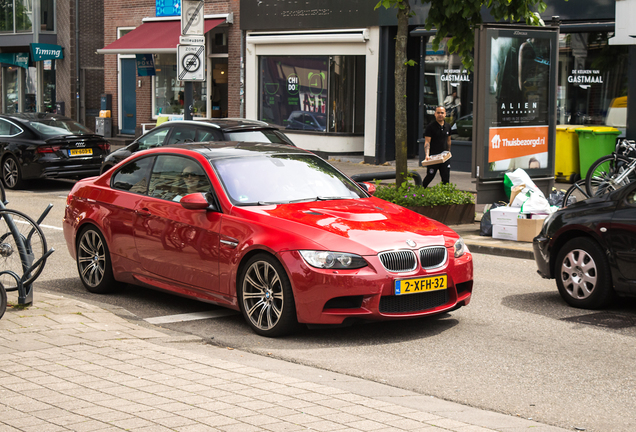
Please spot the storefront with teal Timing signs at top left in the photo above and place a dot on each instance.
(27, 57)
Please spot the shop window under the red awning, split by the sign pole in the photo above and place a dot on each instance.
(169, 91)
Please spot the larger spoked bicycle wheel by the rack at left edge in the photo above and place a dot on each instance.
(21, 245)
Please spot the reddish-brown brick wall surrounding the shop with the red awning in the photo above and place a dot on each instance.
(130, 13)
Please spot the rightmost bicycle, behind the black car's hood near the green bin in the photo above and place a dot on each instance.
(613, 171)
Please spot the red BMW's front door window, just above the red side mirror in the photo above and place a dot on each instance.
(174, 177)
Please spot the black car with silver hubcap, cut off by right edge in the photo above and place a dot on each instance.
(589, 247)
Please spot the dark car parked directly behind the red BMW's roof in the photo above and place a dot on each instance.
(182, 131)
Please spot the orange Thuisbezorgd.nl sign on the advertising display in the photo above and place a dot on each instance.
(512, 142)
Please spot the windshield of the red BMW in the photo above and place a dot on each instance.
(282, 179)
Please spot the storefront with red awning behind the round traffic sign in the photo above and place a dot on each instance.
(155, 41)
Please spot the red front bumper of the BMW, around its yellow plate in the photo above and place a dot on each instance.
(331, 296)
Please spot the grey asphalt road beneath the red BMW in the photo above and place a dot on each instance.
(517, 348)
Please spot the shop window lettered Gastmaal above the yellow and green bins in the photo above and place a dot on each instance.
(592, 87)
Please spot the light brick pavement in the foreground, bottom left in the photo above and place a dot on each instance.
(66, 365)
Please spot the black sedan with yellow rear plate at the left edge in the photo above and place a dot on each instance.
(40, 145)
